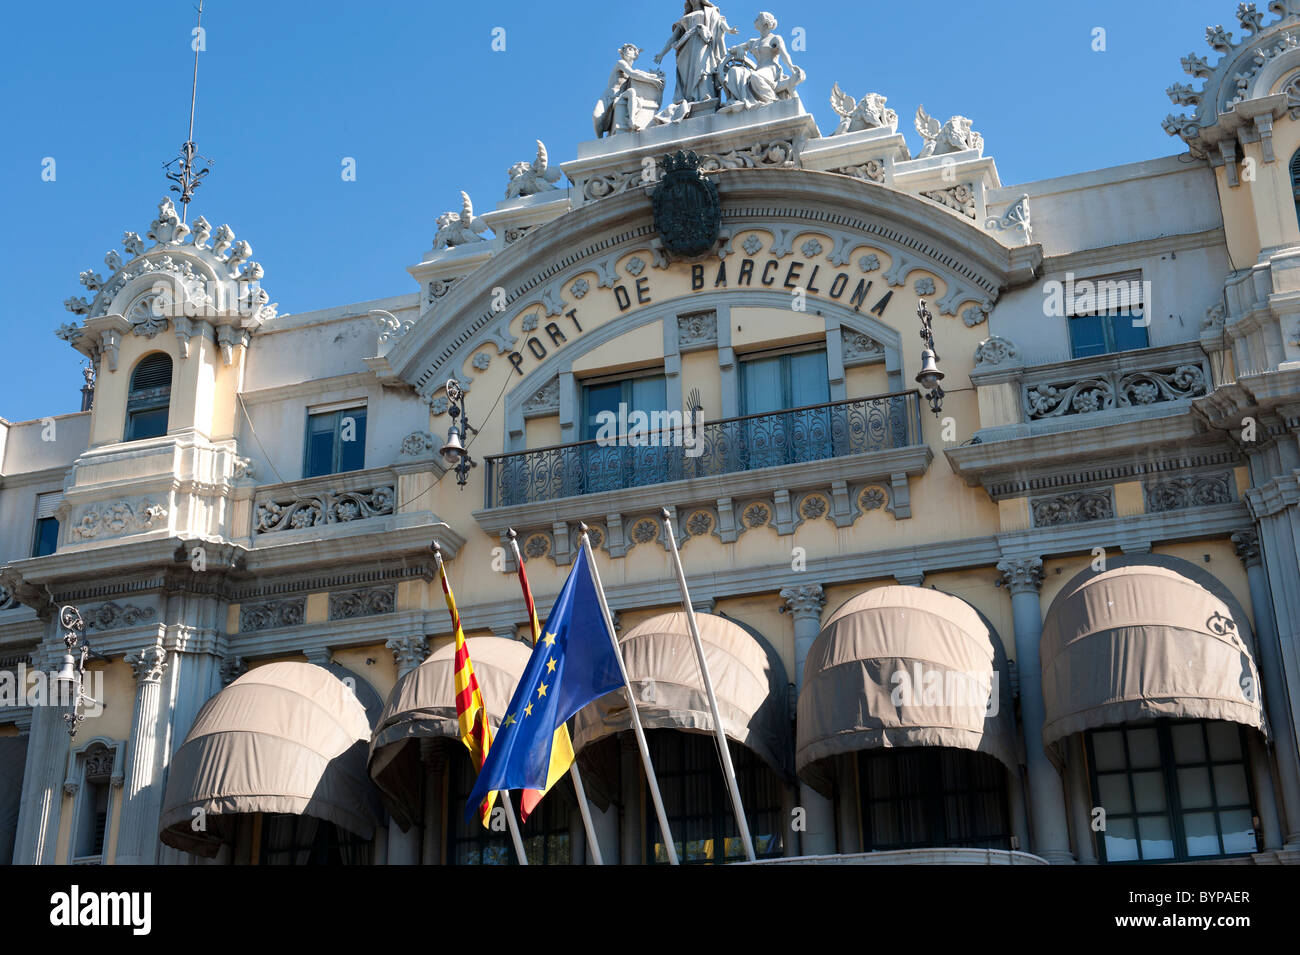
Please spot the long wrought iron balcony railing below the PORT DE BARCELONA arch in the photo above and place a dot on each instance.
(799, 436)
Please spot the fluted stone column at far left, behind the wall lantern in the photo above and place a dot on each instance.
(44, 775)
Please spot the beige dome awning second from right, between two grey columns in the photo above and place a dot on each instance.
(903, 666)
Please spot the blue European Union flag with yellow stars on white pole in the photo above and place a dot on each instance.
(573, 665)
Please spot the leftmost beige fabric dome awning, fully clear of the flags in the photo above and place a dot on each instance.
(285, 737)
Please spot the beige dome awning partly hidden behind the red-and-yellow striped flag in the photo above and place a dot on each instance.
(423, 705)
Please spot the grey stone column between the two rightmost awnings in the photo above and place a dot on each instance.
(1051, 836)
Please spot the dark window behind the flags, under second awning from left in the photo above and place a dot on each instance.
(547, 834)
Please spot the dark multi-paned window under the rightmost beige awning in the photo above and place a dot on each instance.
(1173, 791)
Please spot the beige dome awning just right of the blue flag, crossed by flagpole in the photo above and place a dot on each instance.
(660, 654)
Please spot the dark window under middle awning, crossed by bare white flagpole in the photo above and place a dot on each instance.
(699, 805)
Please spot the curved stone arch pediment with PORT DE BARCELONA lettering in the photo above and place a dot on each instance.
(839, 240)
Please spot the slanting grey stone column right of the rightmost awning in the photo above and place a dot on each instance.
(1271, 666)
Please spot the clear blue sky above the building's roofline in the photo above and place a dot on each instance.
(415, 93)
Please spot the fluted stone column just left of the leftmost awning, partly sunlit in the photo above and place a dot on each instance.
(142, 793)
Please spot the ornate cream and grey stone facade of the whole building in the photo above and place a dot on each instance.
(1098, 524)
